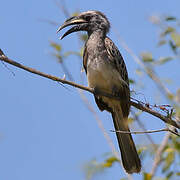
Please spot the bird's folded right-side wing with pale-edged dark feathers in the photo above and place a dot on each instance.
(117, 61)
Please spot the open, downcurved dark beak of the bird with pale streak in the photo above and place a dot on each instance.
(72, 21)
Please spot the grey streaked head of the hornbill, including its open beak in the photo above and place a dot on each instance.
(89, 21)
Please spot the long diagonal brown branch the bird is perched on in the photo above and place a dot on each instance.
(140, 106)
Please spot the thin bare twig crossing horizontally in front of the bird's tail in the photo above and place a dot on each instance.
(143, 132)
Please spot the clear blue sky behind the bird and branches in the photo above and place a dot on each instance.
(45, 130)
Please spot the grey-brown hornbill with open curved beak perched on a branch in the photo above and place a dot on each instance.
(106, 72)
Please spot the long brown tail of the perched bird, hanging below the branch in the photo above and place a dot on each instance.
(129, 155)
